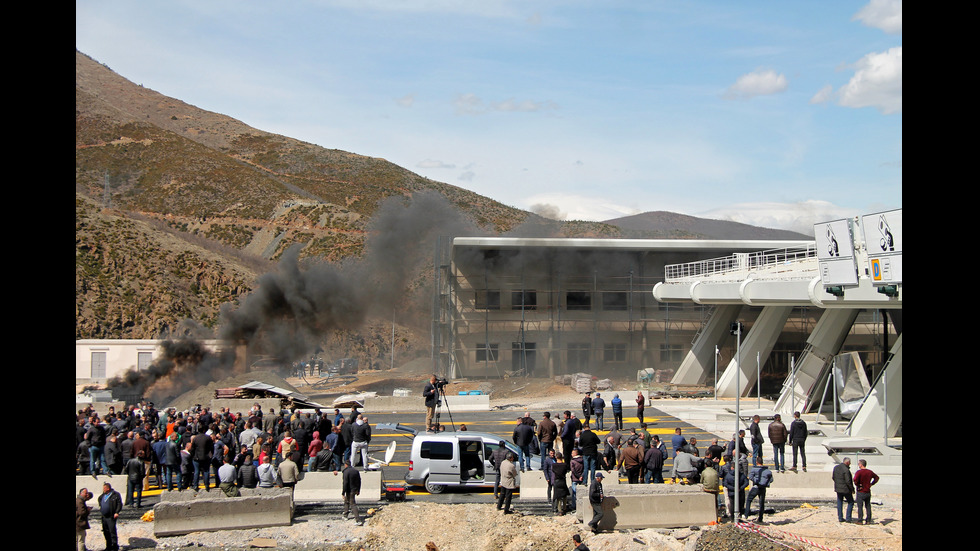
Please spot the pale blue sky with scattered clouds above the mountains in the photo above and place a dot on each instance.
(778, 114)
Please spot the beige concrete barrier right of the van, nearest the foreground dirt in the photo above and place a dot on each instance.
(638, 506)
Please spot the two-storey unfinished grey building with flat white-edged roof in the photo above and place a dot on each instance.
(543, 307)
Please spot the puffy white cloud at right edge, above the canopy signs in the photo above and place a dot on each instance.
(877, 82)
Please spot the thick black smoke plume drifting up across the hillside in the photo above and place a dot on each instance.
(294, 307)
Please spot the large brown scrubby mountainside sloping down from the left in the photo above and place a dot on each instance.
(181, 213)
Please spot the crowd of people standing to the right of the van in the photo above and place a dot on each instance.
(570, 448)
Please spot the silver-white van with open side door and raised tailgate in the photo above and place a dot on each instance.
(460, 458)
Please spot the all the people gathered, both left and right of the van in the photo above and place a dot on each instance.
(203, 450)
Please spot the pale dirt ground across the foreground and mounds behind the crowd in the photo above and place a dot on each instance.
(412, 525)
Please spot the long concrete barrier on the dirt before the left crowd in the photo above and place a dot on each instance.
(184, 512)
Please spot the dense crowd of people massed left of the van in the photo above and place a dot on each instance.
(202, 450)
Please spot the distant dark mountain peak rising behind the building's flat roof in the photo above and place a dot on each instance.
(670, 224)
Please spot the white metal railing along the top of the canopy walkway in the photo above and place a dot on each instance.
(739, 264)
